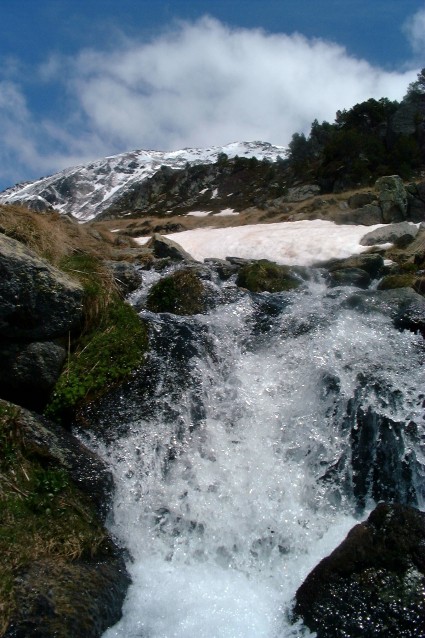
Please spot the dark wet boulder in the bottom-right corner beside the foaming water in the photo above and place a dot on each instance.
(373, 584)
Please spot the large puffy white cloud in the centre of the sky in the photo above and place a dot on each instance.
(204, 83)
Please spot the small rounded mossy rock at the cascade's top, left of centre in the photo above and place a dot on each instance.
(181, 293)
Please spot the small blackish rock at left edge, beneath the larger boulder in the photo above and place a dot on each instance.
(29, 371)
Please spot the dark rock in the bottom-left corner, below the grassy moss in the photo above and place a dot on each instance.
(80, 598)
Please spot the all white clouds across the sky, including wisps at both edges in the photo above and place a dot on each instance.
(196, 84)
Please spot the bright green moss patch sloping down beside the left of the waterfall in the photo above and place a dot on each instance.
(103, 357)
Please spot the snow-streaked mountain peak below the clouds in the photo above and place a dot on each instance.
(87, 191)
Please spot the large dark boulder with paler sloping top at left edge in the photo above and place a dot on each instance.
(37, 301)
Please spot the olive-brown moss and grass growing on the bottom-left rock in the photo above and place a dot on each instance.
(42, 513)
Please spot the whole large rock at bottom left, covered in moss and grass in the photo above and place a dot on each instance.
(47, 520)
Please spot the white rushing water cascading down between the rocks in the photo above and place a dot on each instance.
(233, 471)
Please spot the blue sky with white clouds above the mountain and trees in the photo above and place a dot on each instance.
(84, 79)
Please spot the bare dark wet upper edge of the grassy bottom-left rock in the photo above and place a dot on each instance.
(54, 446)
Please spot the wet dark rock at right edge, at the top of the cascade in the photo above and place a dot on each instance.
(405, 306)
